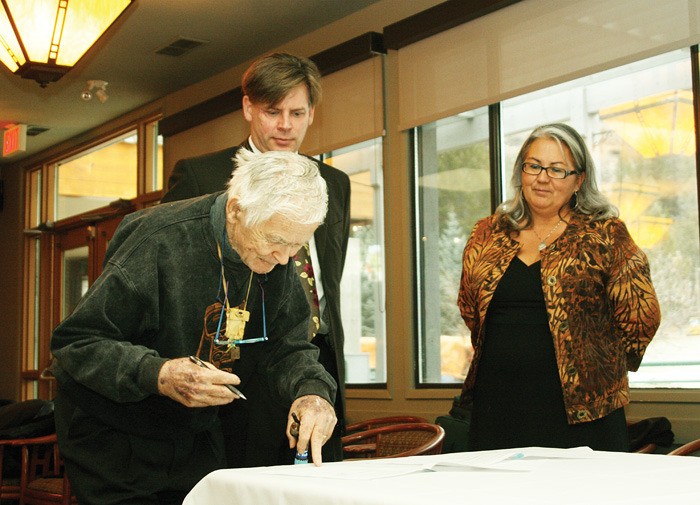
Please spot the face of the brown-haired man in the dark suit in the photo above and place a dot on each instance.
(280, 126)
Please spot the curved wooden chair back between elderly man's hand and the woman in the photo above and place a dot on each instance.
(393, 441)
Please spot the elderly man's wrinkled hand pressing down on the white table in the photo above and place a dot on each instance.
(317, 420)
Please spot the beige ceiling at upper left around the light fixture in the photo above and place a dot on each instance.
(236, 31)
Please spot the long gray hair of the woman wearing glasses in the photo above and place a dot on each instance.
(515, 214)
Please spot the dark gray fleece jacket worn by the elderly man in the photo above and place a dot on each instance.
(162, 271)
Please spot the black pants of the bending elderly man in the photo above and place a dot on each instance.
(109, 467)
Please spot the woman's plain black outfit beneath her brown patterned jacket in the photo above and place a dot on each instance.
(518, 400)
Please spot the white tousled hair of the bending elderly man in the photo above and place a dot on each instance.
(278, 182)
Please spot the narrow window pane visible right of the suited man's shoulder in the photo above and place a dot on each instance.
(362, 286)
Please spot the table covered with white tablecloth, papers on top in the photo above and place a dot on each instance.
(527, 476)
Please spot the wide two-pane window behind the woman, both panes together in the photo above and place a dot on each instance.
(638, 122)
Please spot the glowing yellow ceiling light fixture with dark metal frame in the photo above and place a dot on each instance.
(44, 39)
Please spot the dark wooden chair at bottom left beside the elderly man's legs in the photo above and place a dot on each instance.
(42, 479)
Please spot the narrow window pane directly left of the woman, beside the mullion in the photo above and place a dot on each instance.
(453, 191)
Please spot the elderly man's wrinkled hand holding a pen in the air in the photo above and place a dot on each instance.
(195, 386)
